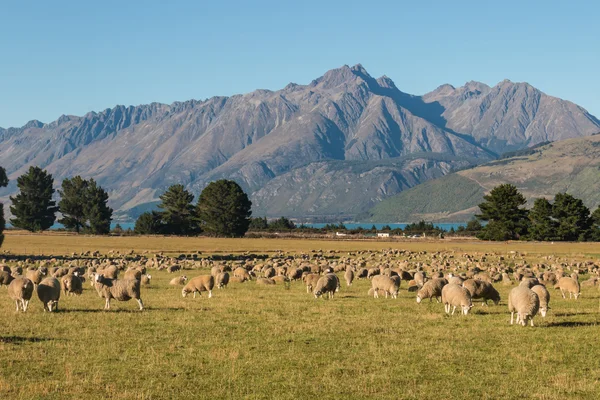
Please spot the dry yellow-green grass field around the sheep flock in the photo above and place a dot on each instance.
(278, 342)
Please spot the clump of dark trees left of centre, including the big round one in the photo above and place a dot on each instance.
(223, 209)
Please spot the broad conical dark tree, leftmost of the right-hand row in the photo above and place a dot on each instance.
(503, 211)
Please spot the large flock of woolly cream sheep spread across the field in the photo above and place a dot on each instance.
(455, 280)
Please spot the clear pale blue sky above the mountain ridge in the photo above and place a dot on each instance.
(71, 57)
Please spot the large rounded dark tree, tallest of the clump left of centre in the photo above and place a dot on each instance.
(224, 209)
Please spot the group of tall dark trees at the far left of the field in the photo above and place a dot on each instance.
(83, 204)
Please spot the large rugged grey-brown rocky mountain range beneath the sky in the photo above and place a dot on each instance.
(344, 135)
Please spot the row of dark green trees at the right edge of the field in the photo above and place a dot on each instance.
(566, 218)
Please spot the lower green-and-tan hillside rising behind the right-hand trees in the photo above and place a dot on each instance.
(571, 166)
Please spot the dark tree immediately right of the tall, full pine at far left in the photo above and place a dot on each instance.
(72, 204)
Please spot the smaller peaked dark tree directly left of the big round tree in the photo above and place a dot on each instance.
(178, 215)
